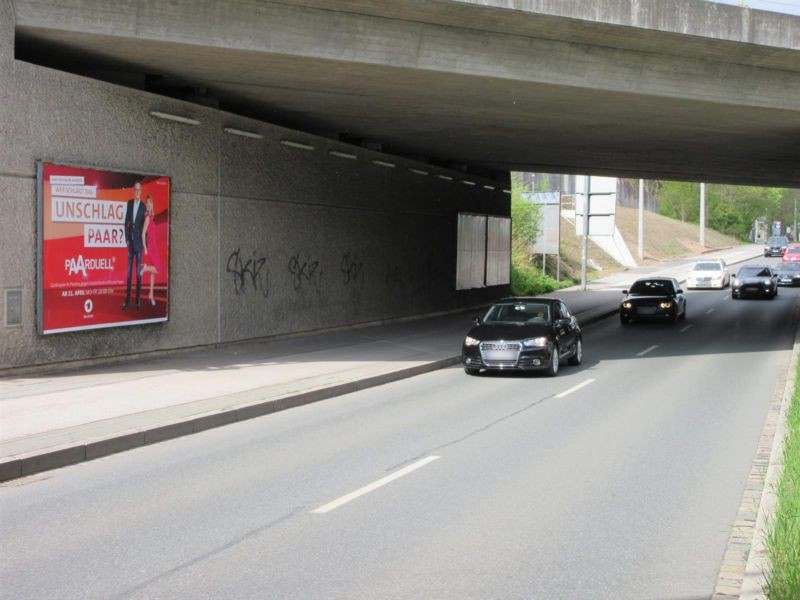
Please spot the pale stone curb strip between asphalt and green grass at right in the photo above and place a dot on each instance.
(746, 563)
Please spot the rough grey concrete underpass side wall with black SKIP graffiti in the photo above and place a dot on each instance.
(343, 241)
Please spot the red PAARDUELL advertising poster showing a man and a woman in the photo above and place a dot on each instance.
(104, 257)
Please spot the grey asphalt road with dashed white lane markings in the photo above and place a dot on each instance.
(616, 479)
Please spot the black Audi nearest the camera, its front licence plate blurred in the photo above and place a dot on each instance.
(527, 334)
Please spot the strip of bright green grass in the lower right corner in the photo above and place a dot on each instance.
(783, 538)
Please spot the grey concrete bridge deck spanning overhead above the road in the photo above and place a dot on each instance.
(481, 88)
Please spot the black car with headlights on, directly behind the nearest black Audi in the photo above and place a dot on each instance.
(659, 298)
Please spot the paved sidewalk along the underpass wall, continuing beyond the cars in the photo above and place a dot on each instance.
(49, 421)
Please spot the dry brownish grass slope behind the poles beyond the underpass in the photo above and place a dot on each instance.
(664, 239)
